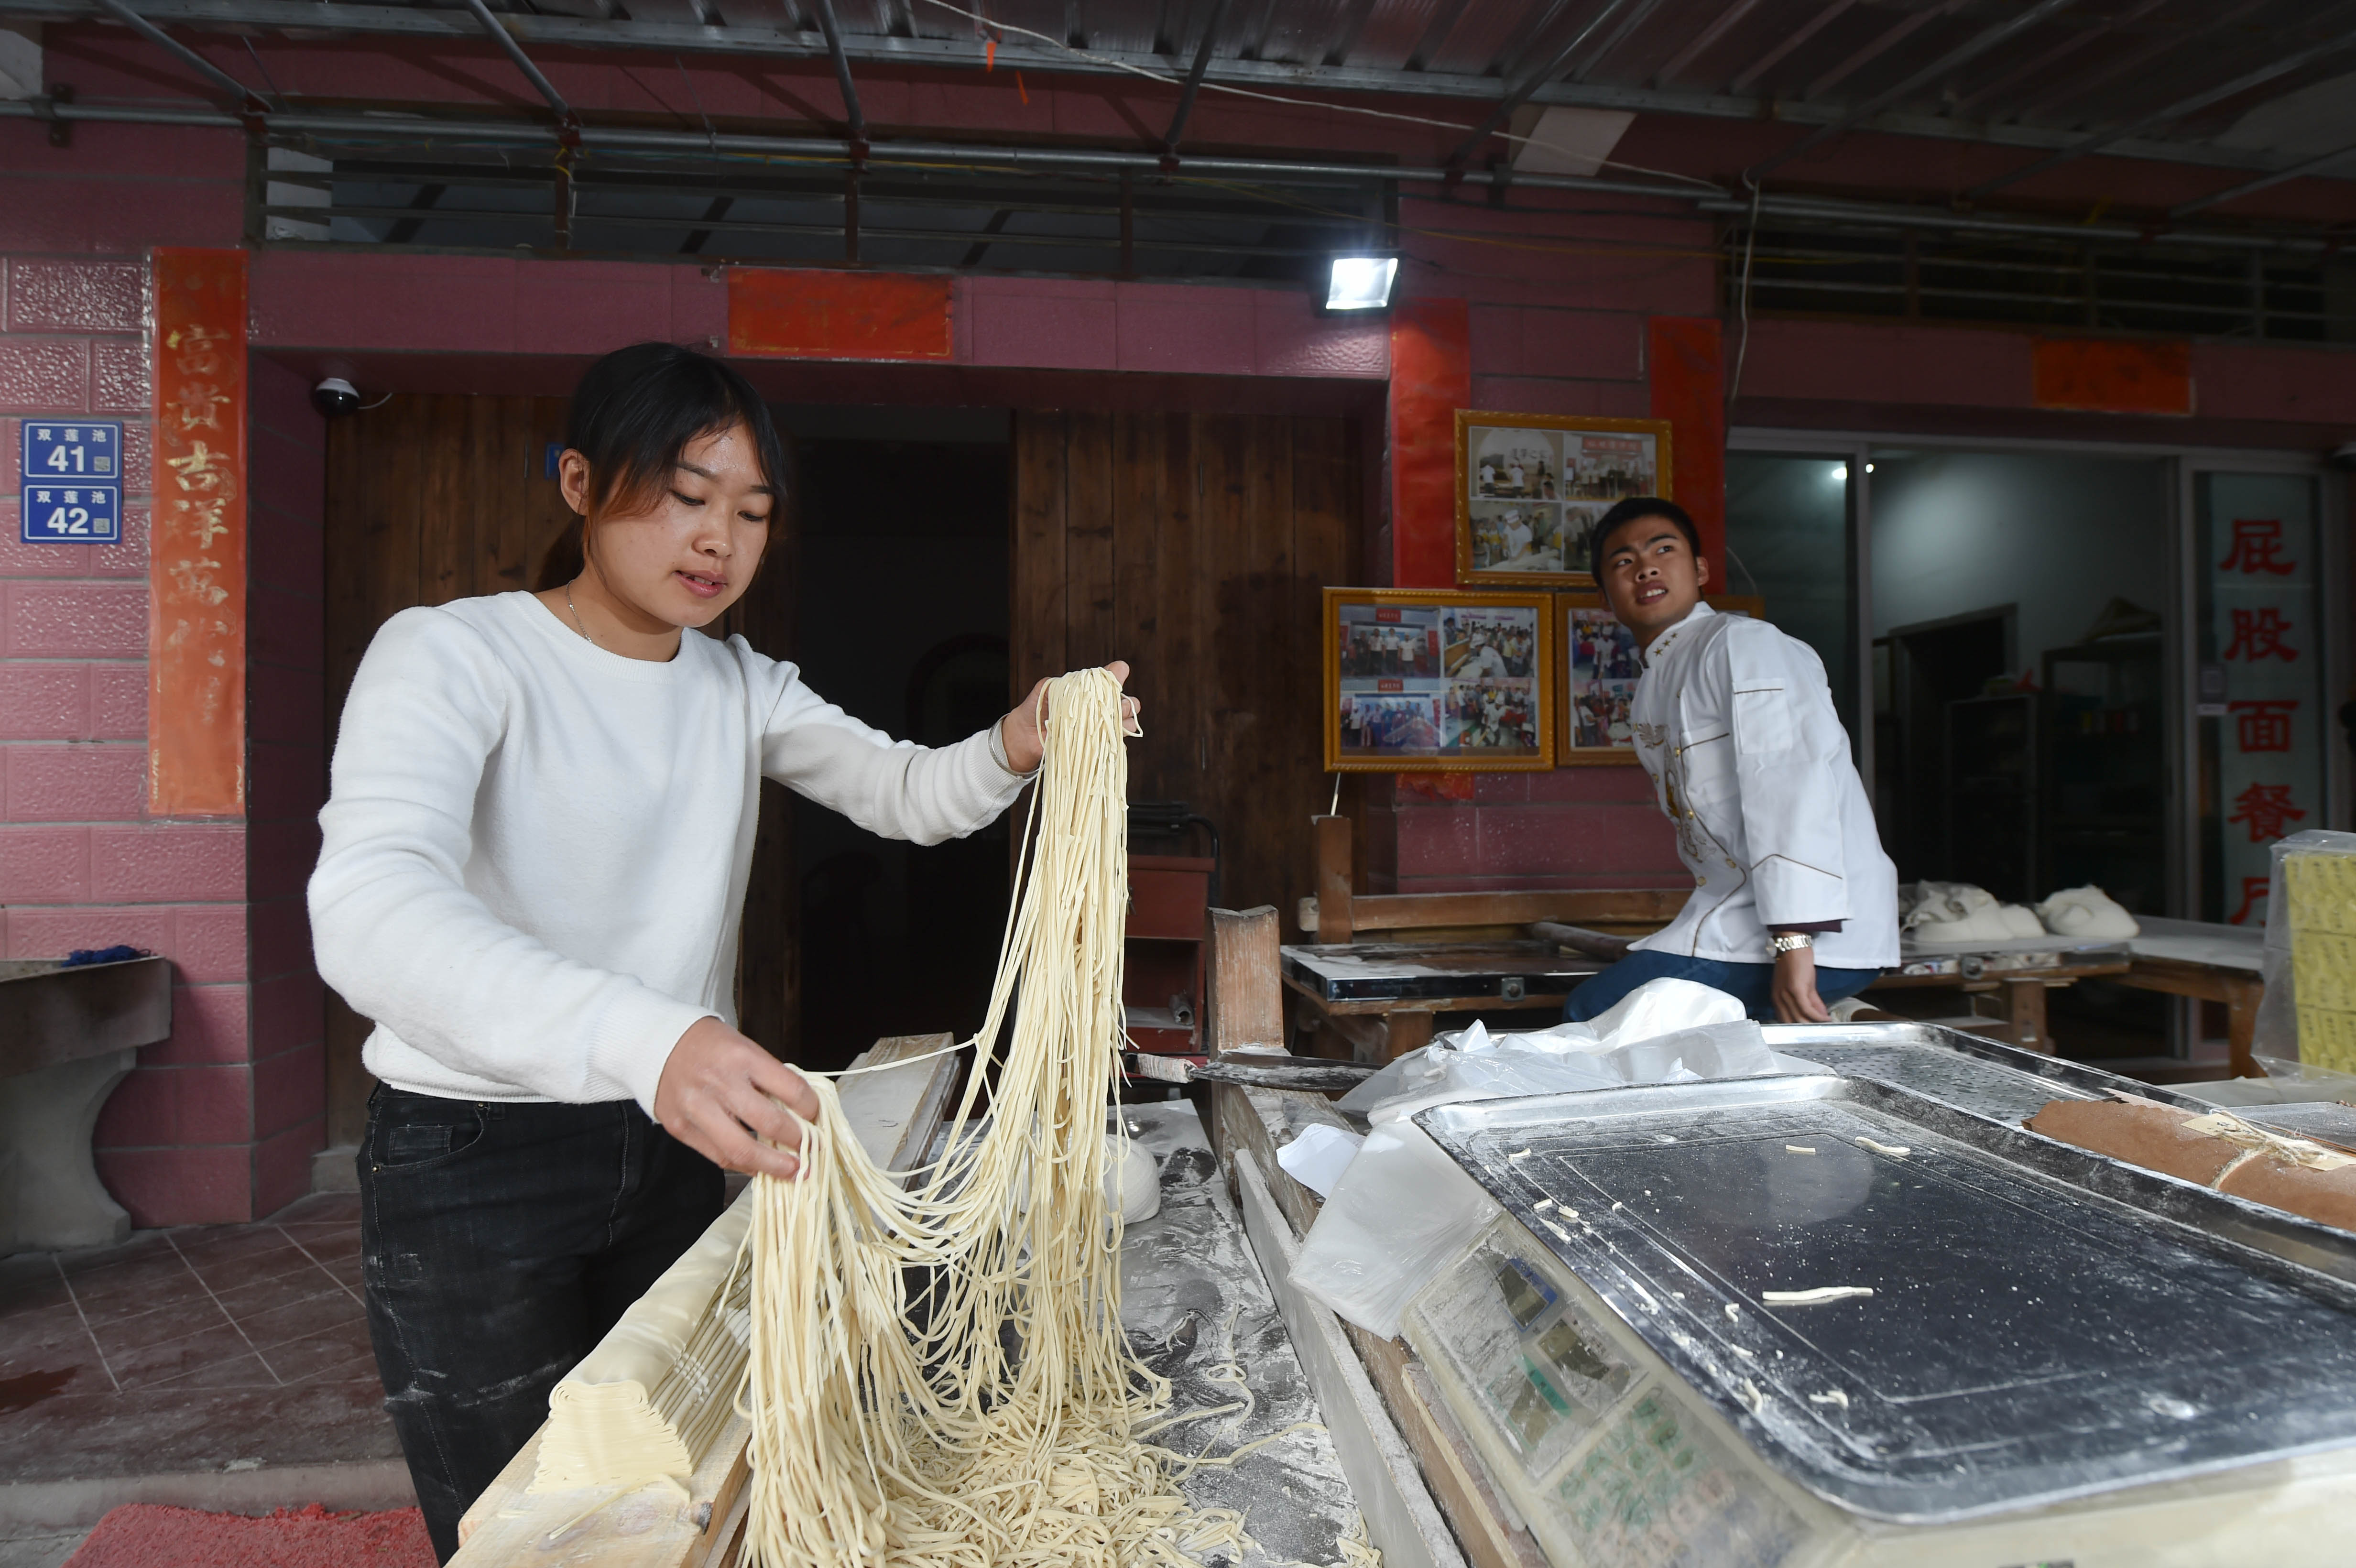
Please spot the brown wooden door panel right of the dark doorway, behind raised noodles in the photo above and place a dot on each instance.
(1196, 547)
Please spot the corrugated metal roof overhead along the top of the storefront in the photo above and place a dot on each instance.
(2239, 84)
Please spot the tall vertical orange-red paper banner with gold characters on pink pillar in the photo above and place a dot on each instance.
(197, 538)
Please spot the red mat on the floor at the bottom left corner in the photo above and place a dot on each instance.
(154, 1536)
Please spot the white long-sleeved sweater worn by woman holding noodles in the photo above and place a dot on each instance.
(536, 851)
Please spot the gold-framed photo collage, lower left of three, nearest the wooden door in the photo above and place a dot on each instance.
(1438, 682)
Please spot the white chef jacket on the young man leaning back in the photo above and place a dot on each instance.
(1735, 724)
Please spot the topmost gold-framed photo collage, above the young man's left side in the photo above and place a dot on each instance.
(1533, 486)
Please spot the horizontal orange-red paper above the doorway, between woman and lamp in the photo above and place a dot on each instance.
(838, 317)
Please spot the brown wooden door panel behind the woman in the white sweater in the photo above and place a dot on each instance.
(449, 496)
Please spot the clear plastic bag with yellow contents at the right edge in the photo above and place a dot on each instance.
(2310, 964)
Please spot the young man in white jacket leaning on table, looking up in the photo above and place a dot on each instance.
(1794, 901)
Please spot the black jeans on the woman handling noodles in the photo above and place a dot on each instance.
(501, 1242)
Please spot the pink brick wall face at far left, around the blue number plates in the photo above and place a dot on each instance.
(79, 861)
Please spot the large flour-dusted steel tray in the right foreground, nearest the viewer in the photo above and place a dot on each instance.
(2044, 1322)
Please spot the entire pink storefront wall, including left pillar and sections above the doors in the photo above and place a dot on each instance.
(220, 1119)
